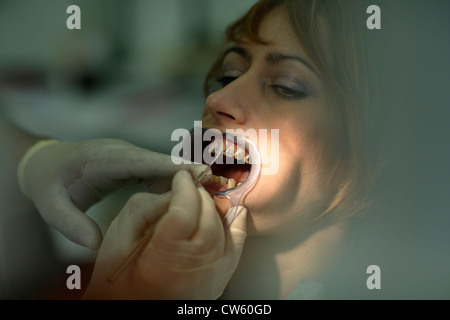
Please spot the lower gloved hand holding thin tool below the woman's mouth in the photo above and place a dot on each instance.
(190, 256)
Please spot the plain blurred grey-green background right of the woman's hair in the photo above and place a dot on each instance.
(408, 234)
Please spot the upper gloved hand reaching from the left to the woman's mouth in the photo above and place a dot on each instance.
(65, 178)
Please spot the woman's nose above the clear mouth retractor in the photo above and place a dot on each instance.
(231, 104)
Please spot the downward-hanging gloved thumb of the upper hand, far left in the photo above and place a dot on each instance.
(60, 212)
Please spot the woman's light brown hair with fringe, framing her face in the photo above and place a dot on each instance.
(346, 75)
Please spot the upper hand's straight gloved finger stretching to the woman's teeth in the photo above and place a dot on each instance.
(135, 164)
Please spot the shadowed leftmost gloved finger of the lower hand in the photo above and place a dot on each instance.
(141, 211)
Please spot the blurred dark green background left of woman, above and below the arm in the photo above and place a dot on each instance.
(134, 71)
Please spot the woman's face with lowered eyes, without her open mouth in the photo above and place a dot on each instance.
(276, 86)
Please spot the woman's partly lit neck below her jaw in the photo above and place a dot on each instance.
(271, 266)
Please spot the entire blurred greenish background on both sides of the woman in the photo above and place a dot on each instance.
(135, 70)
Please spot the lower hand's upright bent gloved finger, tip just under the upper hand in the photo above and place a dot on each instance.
(181, 220)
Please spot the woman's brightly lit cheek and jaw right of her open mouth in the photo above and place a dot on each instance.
(300, 191)
